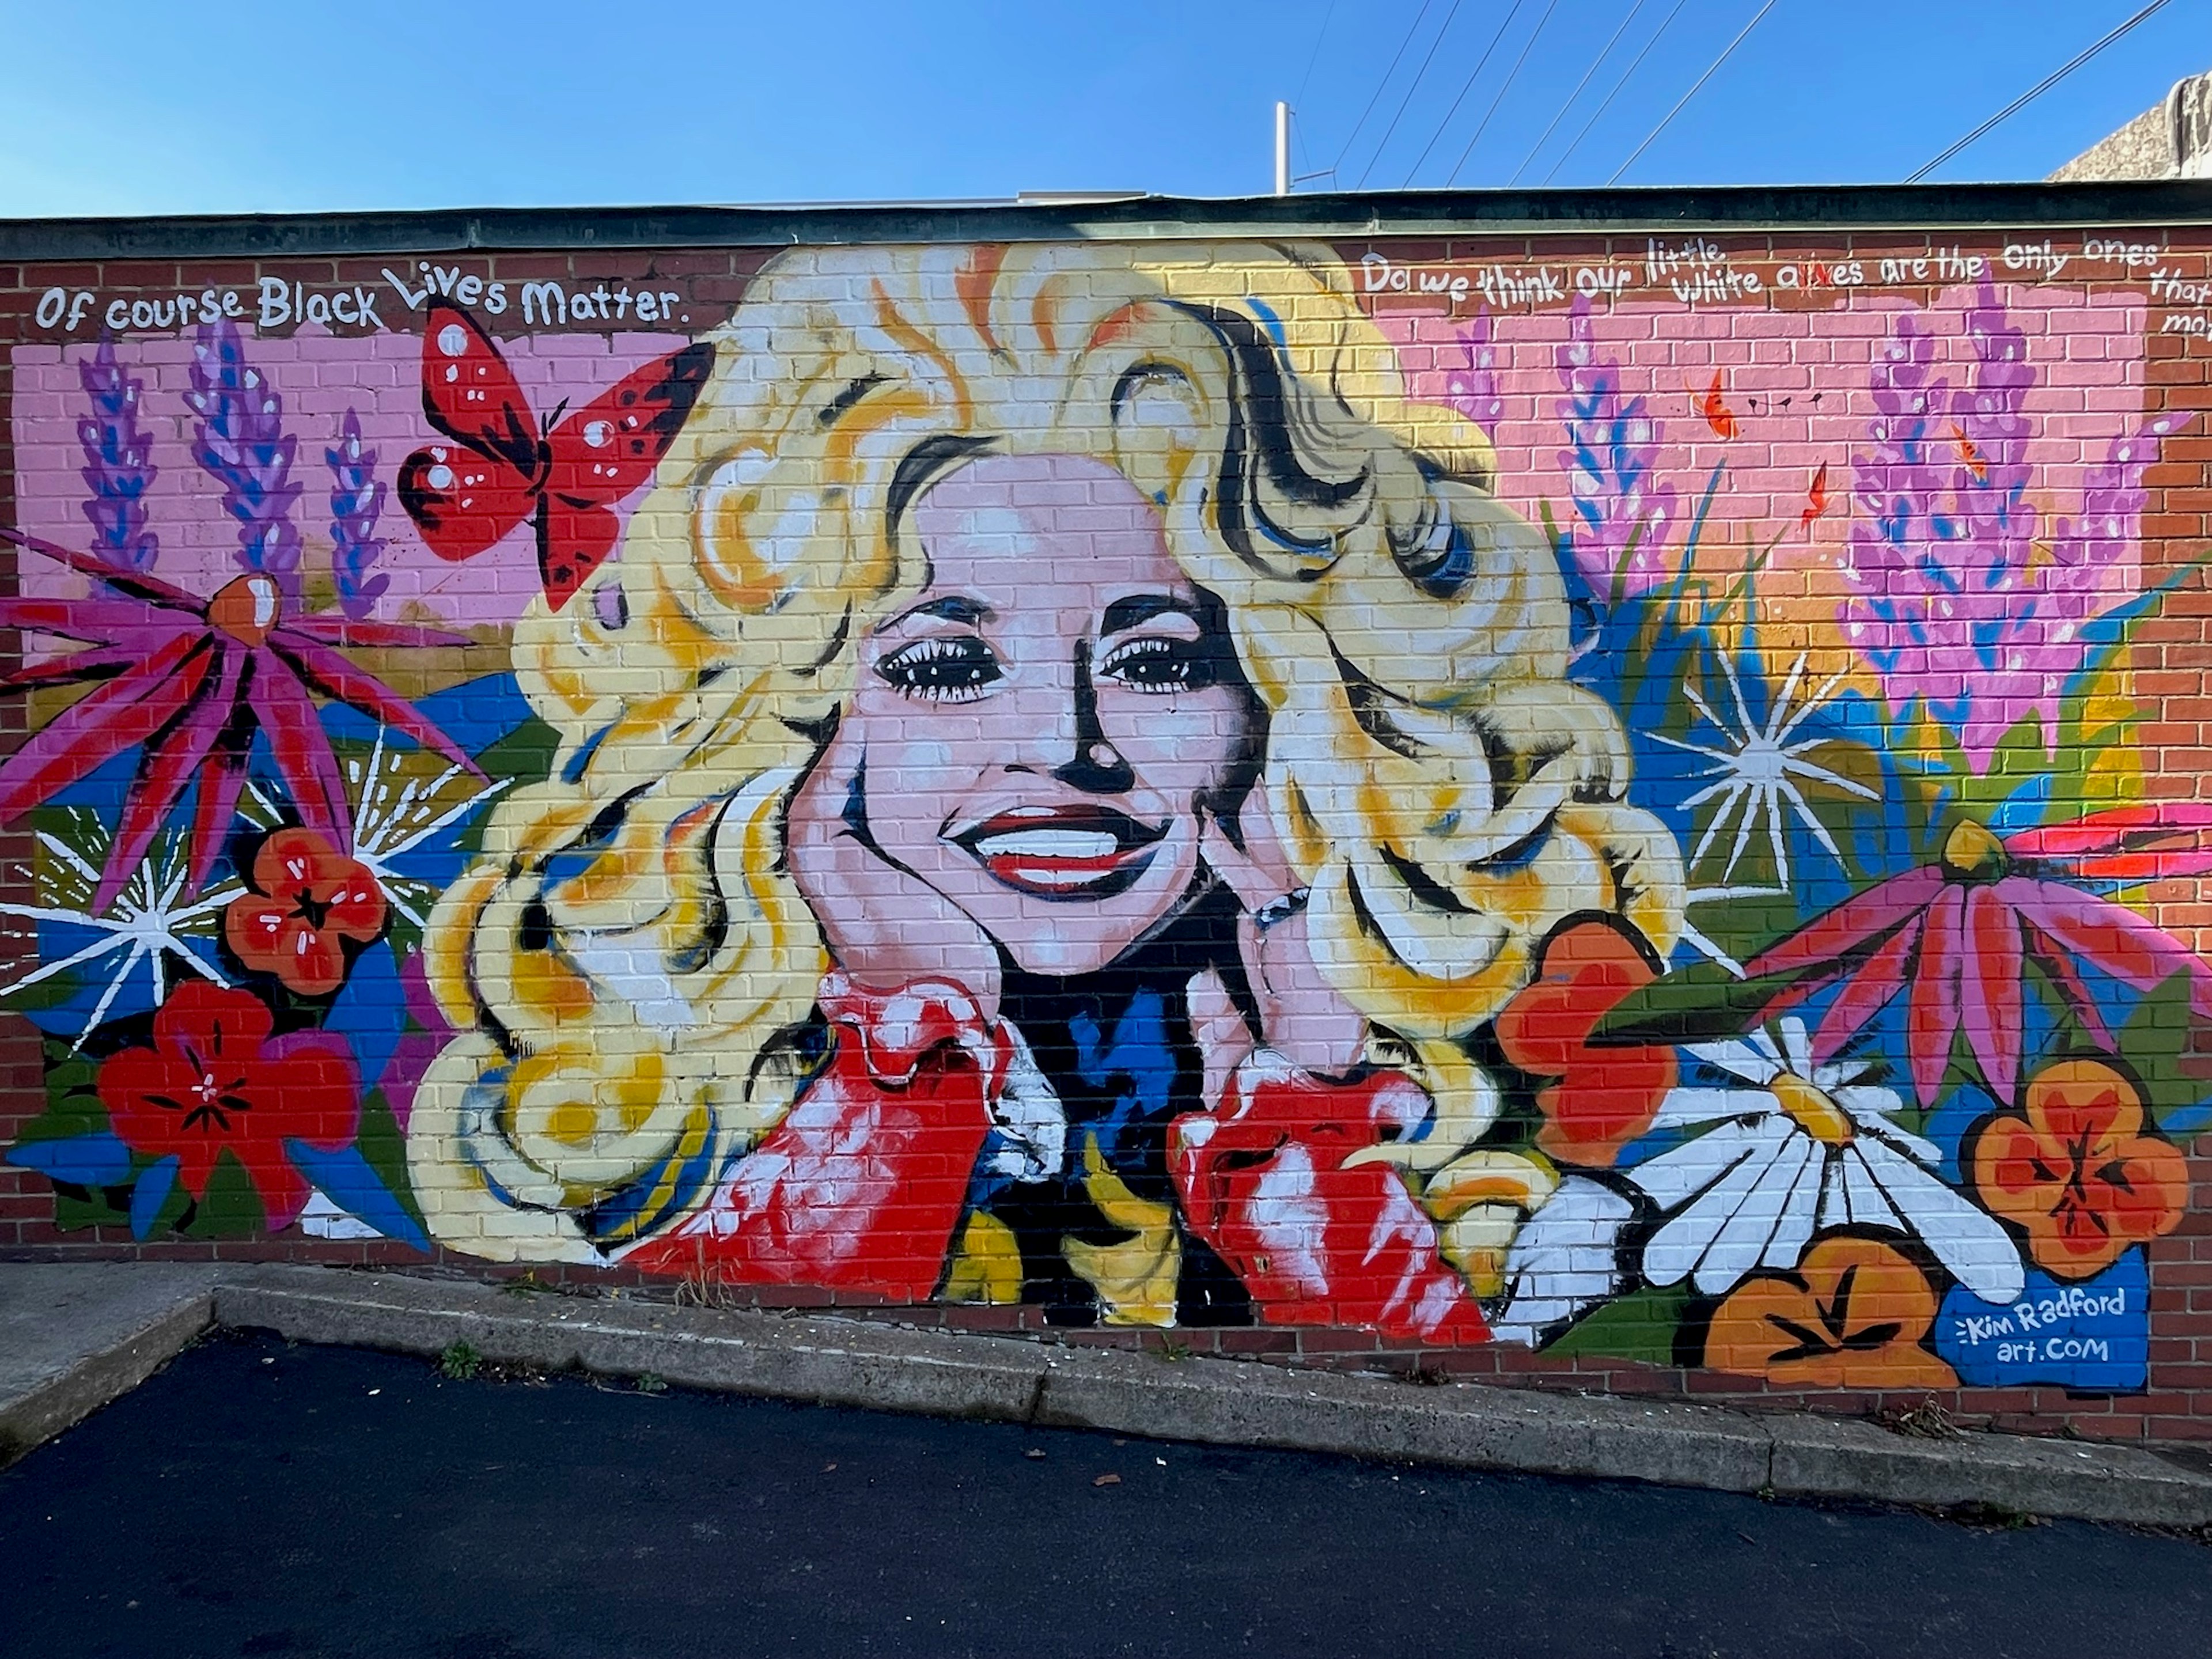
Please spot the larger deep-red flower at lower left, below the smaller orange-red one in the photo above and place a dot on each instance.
(213, 1083)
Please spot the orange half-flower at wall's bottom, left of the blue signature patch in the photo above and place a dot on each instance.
(1850, 1317)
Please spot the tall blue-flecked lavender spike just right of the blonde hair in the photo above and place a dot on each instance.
(1611, 441)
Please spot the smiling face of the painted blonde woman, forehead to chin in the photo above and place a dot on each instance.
(1045, 720)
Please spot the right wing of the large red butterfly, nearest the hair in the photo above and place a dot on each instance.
(607, 450)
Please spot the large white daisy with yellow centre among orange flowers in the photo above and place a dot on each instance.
(1802, 1149)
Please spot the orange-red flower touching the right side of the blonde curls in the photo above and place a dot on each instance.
(1600, 1098)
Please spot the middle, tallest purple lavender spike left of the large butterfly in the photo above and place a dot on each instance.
(242, 444)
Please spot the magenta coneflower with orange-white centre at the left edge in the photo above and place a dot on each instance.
(194, 680)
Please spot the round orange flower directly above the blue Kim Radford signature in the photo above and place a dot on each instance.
(2078, 1173)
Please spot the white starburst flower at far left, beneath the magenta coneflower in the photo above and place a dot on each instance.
(145, 928)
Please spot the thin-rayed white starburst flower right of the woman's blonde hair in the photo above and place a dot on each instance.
(1760, 766)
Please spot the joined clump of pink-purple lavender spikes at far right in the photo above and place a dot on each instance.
(1954, 605)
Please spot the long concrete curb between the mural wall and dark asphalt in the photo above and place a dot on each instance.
(888, 1368)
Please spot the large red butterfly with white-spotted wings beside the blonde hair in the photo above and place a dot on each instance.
(561, 477)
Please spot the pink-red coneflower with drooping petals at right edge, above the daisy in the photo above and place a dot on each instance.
(1961, 930)
